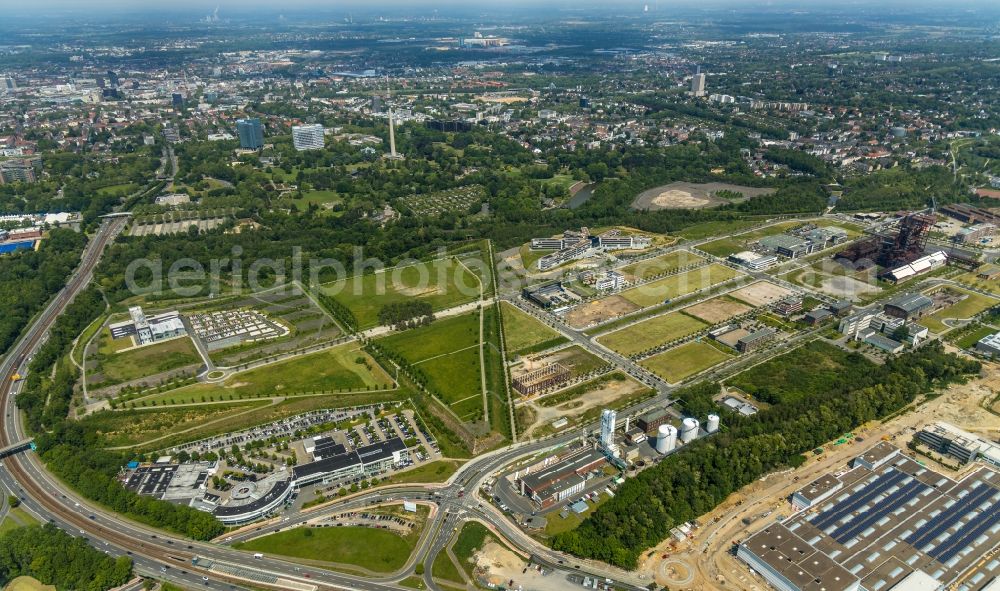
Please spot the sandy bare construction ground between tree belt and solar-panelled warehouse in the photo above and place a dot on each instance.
(706, 552)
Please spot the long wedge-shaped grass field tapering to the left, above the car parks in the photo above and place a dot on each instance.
(329, 370)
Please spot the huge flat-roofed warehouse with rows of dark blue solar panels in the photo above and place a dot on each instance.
(895, 527)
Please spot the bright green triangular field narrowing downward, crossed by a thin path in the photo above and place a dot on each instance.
(446, 352)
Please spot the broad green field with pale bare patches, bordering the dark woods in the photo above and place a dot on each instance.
(444, 283)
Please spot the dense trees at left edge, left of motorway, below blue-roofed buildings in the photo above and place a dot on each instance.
(28, 278)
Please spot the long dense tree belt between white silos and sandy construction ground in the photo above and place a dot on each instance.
(694, 480)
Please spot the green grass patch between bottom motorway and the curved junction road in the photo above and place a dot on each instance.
(377, 550)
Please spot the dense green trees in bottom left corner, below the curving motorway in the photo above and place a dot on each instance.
(56, 558)
